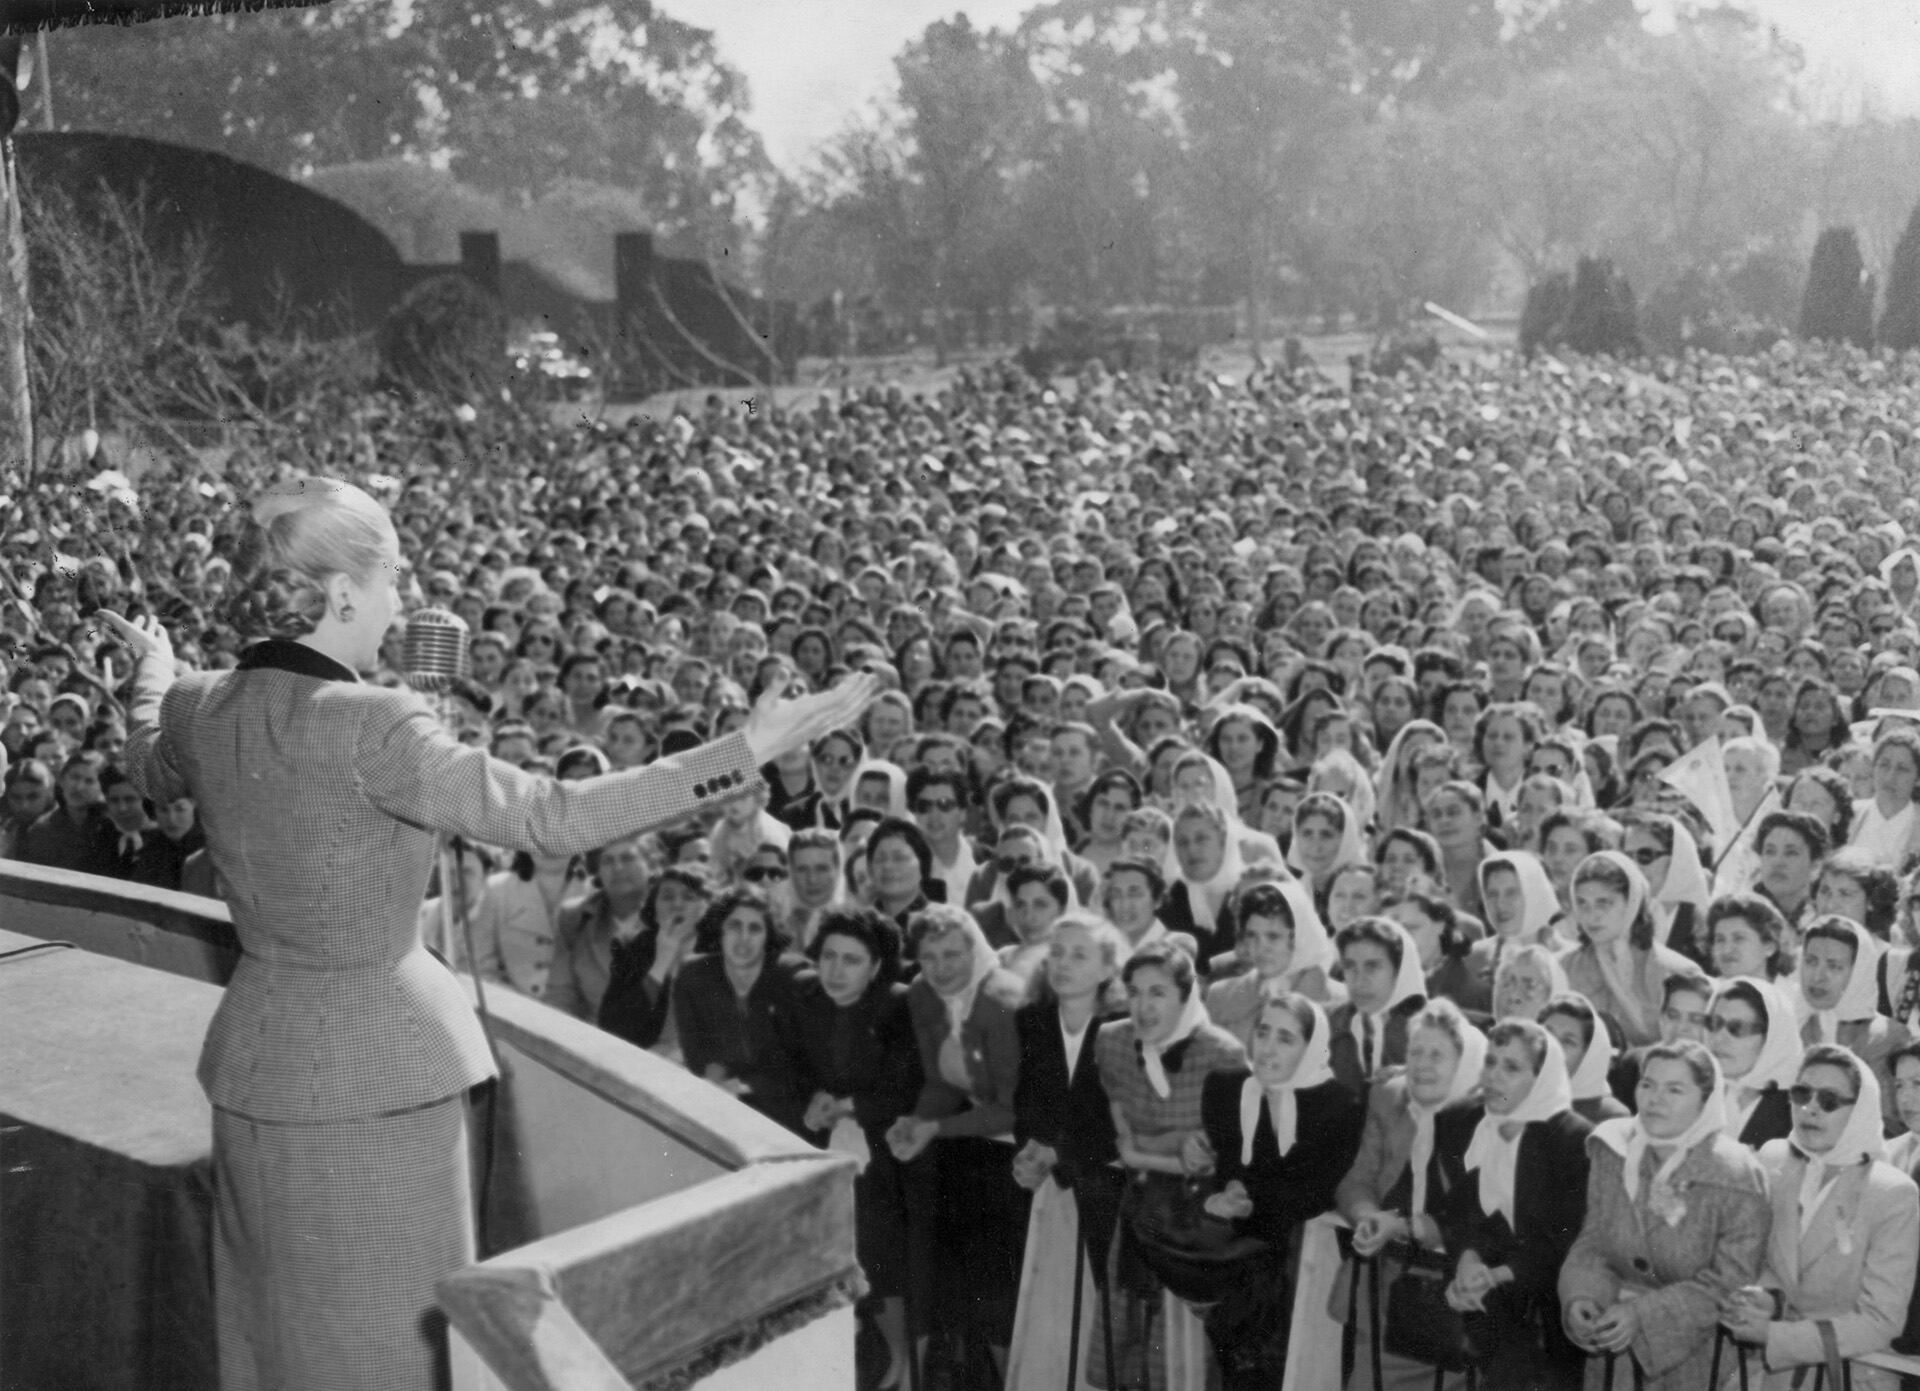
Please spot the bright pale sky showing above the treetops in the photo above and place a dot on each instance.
(811, 64)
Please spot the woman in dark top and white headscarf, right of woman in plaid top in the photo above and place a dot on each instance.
(1280, 1138)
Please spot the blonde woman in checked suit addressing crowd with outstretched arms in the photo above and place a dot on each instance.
(343, 1052)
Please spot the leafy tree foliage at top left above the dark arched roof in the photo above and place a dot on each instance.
(514, 95)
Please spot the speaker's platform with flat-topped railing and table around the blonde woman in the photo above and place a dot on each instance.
(648, 1229)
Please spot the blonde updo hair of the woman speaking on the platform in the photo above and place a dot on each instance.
(302, 533)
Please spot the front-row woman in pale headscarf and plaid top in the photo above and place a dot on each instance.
(1155, 1065)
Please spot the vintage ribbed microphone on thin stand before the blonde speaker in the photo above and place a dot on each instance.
(433, 658)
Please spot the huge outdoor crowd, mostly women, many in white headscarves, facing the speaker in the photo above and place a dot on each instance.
(1481, 804)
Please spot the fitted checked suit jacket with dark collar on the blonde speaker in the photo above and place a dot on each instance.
(320, 798)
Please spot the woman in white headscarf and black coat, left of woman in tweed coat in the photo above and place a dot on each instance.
(1514, 1179)
